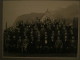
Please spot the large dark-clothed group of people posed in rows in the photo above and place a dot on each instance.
(38, 37)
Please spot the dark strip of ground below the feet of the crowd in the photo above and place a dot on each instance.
(6, 54)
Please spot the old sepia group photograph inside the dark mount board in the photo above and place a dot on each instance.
(40, 28)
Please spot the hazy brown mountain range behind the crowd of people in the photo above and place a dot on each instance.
(68, 13)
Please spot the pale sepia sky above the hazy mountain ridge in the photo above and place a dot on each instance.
(13, 9)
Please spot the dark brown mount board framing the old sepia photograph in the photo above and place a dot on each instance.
(34, 58)
